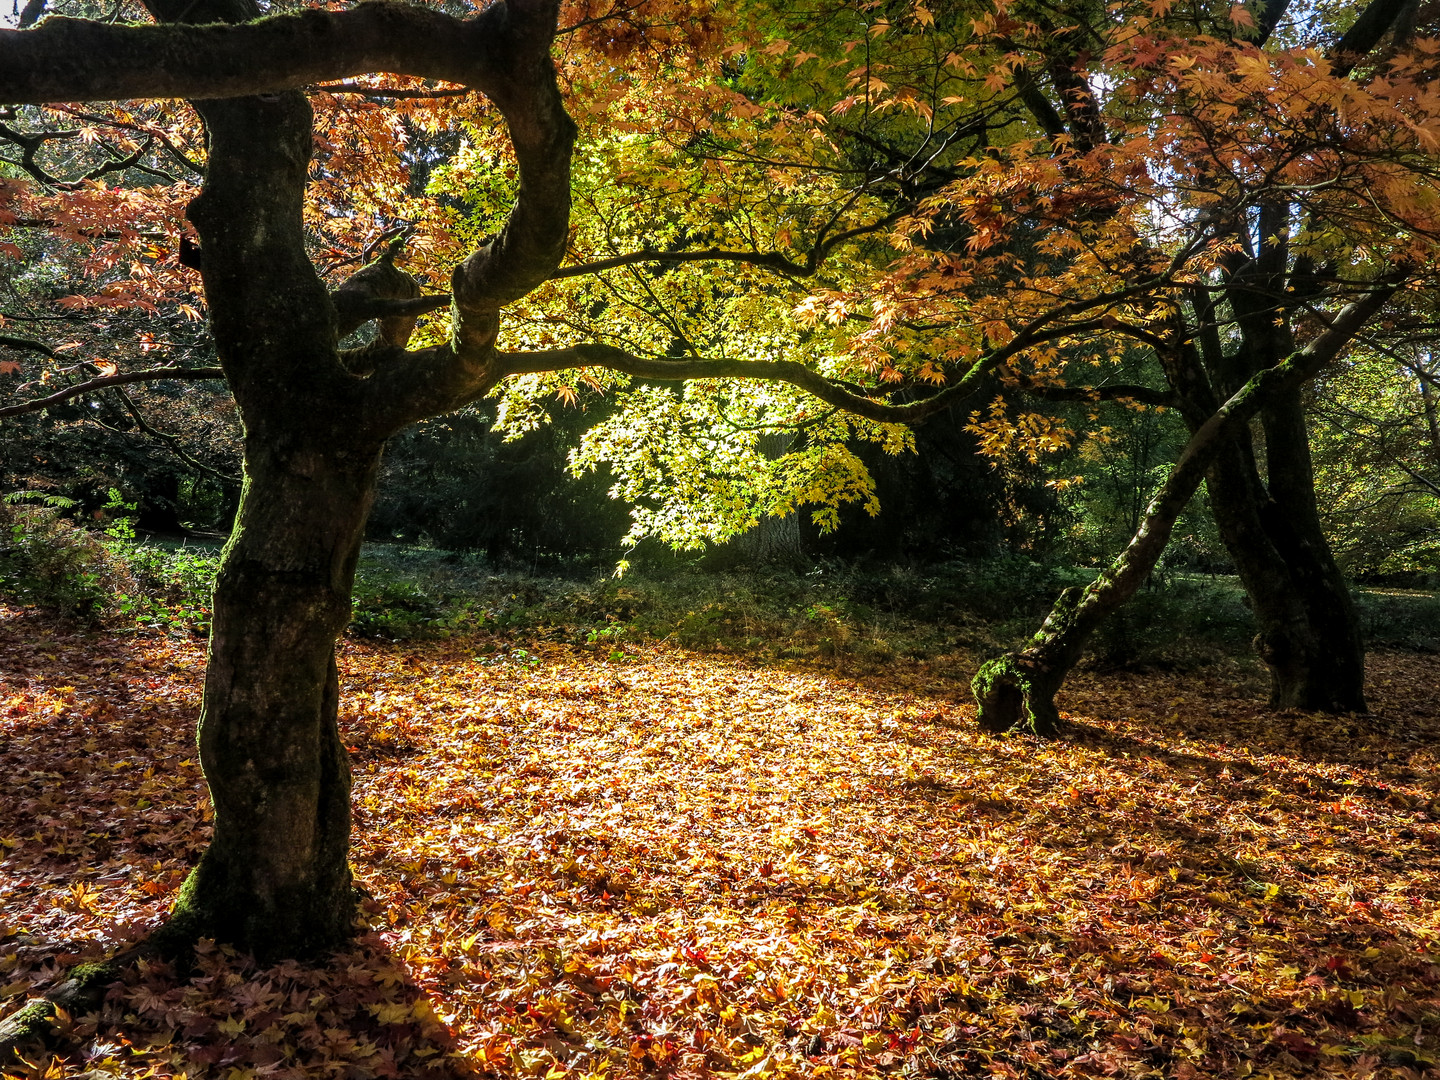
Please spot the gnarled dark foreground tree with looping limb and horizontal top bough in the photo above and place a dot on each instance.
(276, 876)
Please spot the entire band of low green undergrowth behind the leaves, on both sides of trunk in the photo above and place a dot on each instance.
(834, 614)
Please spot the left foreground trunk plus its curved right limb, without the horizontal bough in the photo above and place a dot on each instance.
(276, 879)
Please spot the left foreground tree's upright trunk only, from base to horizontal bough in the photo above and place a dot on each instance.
(276, 878)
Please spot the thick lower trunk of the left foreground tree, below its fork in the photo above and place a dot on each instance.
(276, 879)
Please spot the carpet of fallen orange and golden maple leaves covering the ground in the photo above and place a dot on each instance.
(683, 866)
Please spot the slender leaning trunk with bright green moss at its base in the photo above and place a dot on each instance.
(1017, 692)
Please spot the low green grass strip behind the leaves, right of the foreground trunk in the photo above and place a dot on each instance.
(859, 618)
